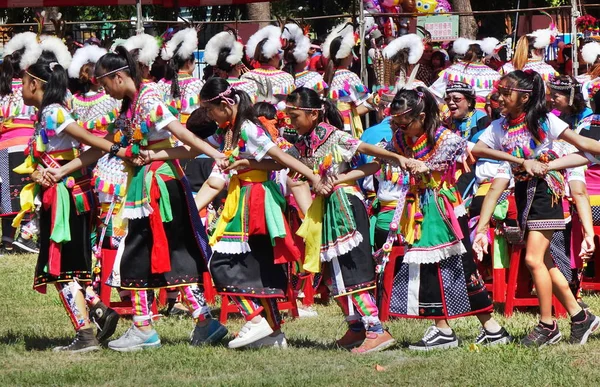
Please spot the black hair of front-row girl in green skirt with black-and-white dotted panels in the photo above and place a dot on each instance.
(419, 100)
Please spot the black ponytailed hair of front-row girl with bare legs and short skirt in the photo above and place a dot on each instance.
(535, 108)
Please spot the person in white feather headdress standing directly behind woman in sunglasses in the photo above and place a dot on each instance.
(470, 69)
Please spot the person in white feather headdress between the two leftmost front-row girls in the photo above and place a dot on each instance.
(93, 108)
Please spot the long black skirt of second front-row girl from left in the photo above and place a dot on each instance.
(187, 246)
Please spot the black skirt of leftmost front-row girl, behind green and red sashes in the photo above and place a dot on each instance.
(76, 255)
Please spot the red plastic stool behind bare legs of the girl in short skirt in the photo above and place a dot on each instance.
(518, 290)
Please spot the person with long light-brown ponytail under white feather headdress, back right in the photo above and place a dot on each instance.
(530, 53)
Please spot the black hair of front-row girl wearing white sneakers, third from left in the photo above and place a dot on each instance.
(245, 111)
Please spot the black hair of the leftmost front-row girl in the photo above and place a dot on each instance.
(55, 79)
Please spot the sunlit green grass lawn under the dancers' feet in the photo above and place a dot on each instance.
(31, 324)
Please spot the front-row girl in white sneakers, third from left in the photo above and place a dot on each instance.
(252, 241)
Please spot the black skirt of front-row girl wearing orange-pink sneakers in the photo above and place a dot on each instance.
(356, 269)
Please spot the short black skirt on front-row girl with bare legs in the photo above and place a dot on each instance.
(536, 207)
